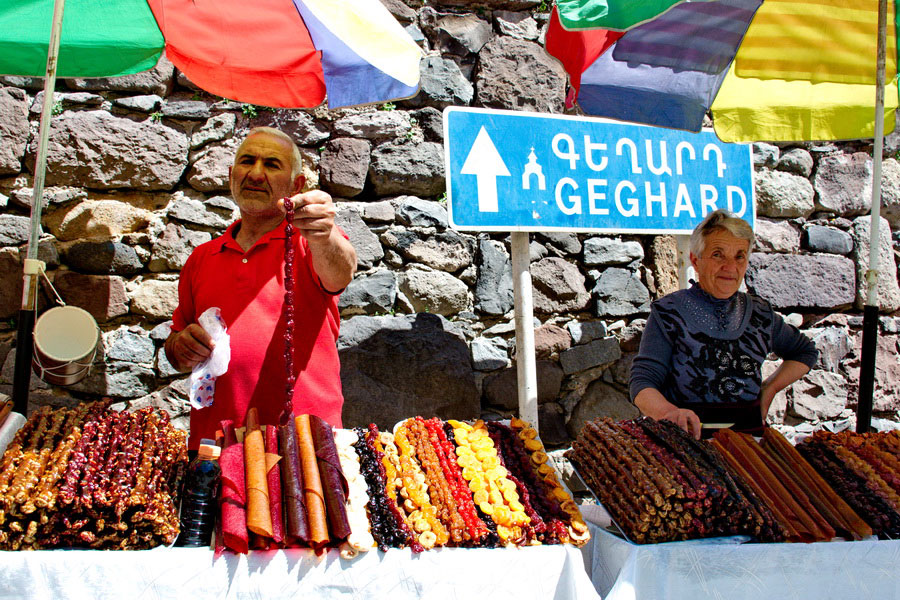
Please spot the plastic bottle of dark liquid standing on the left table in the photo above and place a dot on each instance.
(199, 504)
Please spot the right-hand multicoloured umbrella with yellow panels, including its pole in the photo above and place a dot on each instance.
(772, 70)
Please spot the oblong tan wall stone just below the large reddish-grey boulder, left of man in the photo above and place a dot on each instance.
(99, 219)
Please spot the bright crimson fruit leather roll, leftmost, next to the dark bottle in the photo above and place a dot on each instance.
(233, 498)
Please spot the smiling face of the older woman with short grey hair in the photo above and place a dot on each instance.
(720, 269)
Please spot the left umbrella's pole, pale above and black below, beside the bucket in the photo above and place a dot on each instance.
(24, 339)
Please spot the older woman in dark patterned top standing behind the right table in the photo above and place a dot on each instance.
(702, 350)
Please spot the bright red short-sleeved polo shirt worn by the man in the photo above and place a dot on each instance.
(248, 287)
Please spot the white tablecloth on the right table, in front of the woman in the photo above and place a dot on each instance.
(724, 569)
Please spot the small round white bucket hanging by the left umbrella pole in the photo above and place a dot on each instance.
(65, 343)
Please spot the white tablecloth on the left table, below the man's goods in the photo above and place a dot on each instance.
(544, 572)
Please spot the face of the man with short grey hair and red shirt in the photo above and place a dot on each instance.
(261, 175)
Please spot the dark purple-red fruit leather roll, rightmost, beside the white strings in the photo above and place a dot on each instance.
(334, 484)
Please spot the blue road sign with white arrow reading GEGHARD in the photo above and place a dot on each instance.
(518, 171)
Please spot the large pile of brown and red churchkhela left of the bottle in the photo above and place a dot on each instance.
(91, 477)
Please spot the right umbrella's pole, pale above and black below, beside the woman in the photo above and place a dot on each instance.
(870, 312)
